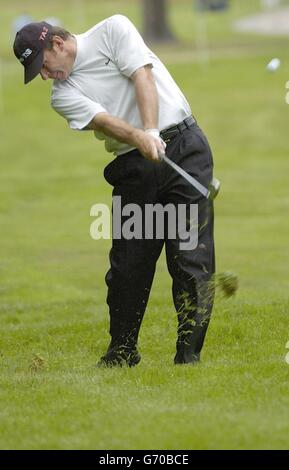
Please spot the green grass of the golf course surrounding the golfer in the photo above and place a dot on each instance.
(52, 293)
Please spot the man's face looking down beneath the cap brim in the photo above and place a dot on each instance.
(57, 63)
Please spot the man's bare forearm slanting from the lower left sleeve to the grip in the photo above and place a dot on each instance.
(124, 132)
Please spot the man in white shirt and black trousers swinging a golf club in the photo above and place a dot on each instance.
(108, 81)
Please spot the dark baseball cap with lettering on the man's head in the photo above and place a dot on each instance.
(29, 46)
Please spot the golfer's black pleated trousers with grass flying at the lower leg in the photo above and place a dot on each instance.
(133, 261)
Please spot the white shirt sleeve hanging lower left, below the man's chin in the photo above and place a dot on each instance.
(75, 107)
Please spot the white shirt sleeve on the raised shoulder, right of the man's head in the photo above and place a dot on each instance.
(127, 46)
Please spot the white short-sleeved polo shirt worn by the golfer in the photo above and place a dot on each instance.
(107, 56)
